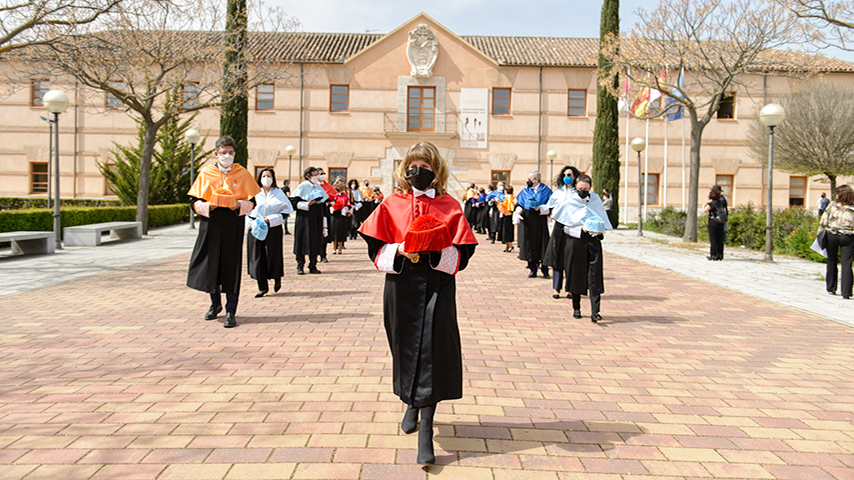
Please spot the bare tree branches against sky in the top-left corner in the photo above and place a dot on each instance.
(41, 22)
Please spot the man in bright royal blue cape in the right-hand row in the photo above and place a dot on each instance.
(531, 217)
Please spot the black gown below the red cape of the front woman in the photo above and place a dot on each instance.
(426, 369)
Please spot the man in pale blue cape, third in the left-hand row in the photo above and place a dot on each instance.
(309, 198)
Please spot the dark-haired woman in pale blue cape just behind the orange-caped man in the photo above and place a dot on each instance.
(264, 255)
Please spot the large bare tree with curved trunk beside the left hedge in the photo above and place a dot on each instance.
(158, 46)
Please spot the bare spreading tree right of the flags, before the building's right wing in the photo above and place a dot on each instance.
(719, 44)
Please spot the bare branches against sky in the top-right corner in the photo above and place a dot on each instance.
(833, 20)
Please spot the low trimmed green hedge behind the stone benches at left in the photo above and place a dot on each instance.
(41, 220)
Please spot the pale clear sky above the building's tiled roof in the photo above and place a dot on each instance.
(549, 18)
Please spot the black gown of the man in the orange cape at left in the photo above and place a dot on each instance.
(218, 254)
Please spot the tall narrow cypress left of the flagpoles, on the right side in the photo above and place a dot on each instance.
(606, 133)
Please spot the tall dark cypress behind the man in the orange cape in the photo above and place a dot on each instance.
(234, 114)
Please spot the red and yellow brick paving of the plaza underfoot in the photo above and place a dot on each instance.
(116, 376)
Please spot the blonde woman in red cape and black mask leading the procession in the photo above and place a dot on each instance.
(419, 300)
